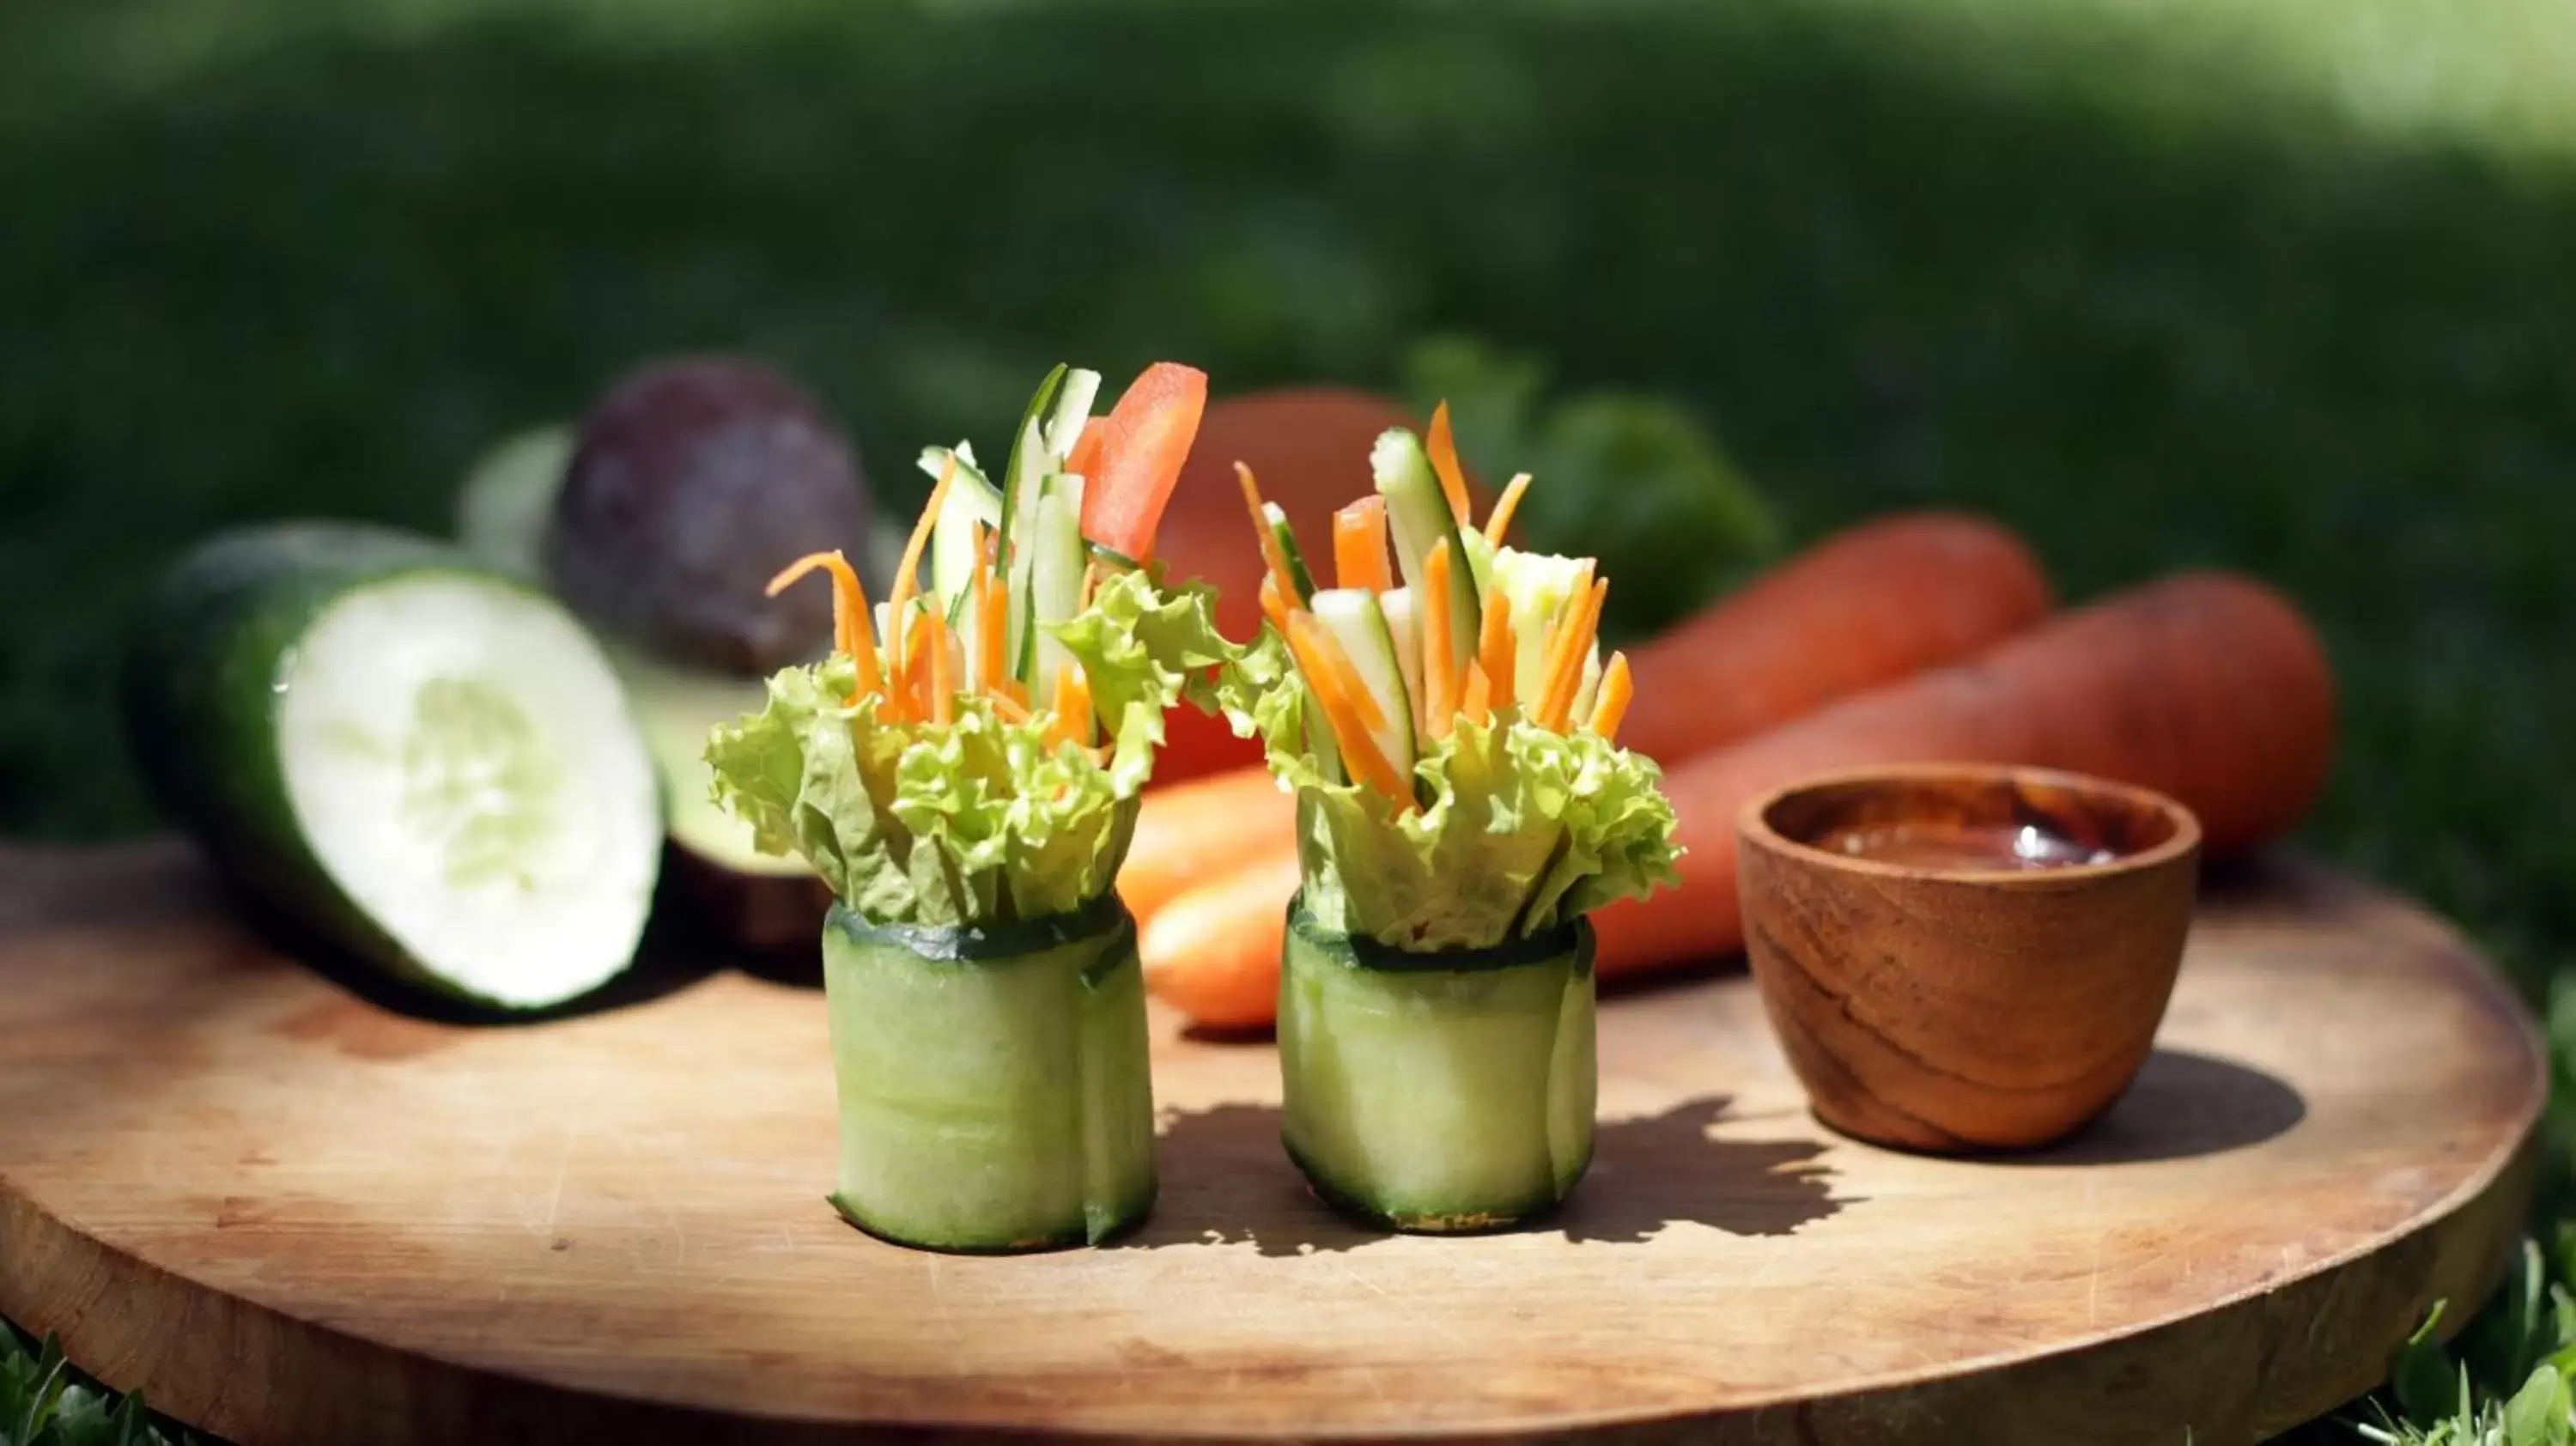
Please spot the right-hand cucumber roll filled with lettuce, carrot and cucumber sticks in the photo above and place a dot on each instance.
(1462, 808)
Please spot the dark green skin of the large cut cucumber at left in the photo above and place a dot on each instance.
(202, 695)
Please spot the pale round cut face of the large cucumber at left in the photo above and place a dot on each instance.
(465, 769)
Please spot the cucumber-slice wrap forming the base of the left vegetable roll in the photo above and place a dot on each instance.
(993, 1081)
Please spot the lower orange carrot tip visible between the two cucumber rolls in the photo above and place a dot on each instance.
(1217, 950)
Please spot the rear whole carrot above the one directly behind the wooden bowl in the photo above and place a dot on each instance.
(1853, 612)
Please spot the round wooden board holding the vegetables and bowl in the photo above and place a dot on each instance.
(305, 1218)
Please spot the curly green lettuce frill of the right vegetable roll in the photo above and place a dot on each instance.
(1521, 829)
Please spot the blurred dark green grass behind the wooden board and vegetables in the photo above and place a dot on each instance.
(2276, 285)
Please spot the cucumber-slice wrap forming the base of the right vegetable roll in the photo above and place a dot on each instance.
(1439, 1092)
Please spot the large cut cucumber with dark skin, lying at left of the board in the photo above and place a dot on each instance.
(406, 754)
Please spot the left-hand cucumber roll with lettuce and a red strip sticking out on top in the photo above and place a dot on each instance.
(962, 772)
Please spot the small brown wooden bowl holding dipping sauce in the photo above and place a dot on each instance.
(1964, 1009)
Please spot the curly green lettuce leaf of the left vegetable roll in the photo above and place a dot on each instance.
(975, 821)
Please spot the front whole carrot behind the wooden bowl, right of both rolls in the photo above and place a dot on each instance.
(2204, 687)
